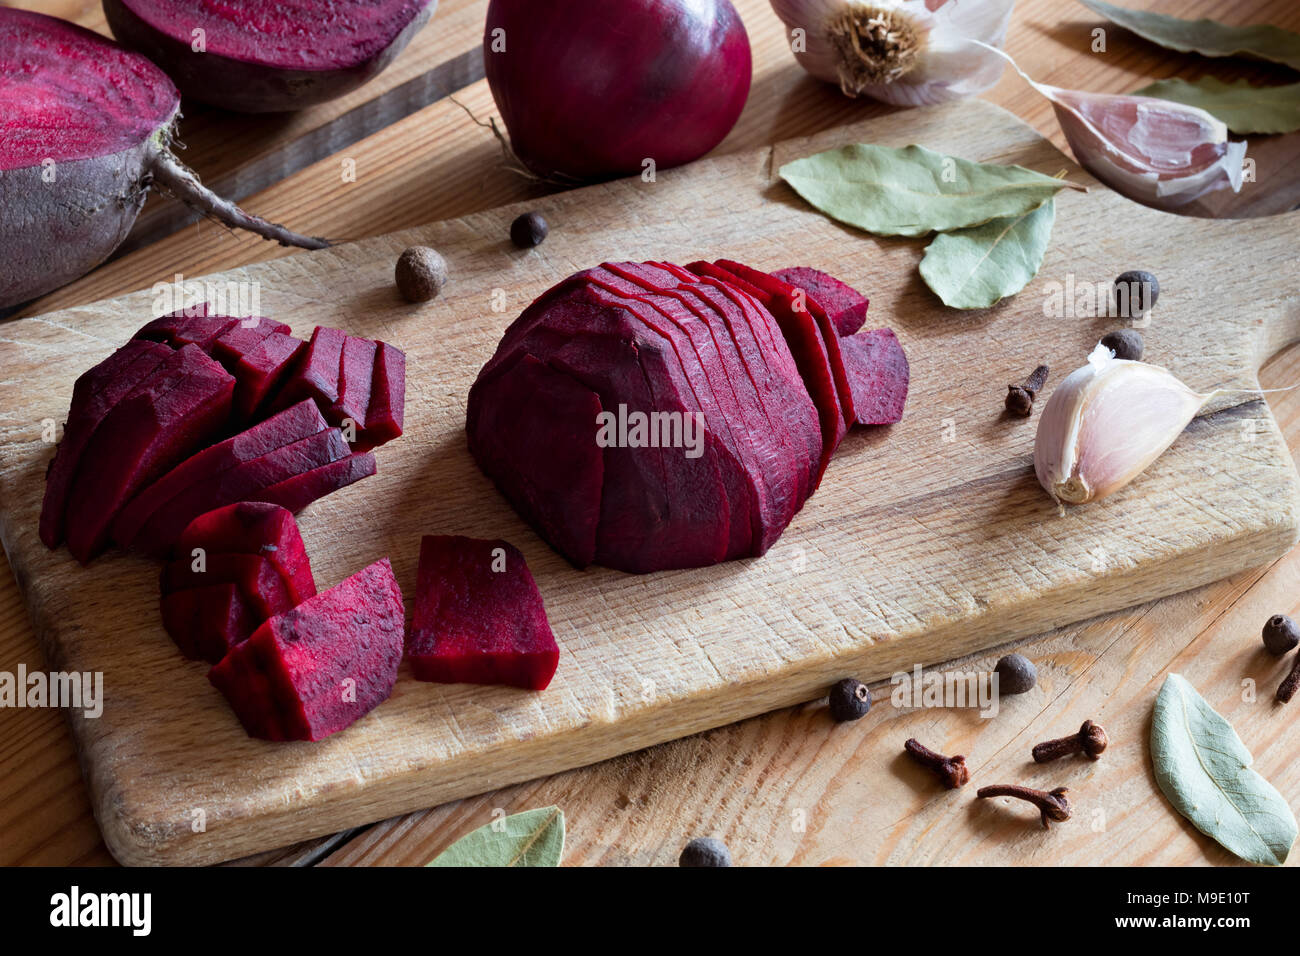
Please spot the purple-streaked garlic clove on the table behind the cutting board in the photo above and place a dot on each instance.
(1155, 152)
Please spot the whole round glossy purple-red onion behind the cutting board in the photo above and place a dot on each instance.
(590, 89)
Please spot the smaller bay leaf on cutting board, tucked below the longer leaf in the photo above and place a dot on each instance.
(974, 269)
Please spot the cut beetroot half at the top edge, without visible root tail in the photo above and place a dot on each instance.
(268, 55)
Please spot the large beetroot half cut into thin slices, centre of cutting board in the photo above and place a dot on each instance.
(760, 360)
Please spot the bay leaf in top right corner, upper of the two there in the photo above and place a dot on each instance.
(1206, 37)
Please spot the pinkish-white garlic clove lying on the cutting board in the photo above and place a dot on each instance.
(1107, 423)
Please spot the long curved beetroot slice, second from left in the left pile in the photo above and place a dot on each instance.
(185, 401)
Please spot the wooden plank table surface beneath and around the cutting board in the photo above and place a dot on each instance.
(790, 788)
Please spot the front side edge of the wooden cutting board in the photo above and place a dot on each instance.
(137, 841)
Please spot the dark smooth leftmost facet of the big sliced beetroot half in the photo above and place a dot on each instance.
(552, 477)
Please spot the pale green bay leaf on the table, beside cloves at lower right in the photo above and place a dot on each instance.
(1204, 769)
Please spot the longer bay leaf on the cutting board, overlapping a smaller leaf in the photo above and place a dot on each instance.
(915, 191)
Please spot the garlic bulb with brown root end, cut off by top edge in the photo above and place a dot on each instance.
(907, 53)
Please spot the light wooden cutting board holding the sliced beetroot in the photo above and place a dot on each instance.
(926, 542)
